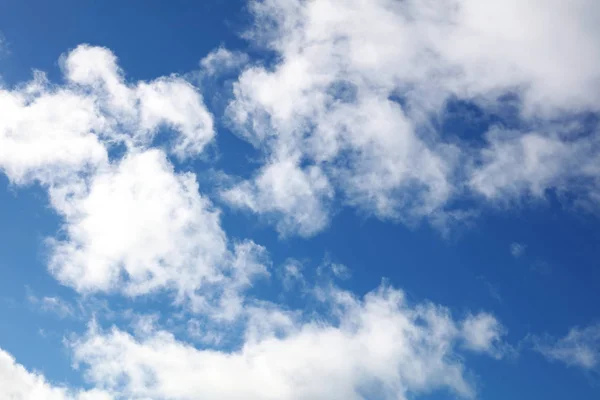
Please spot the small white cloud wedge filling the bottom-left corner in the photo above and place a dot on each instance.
(19, 384)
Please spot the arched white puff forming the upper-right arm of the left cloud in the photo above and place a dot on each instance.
(143, 108)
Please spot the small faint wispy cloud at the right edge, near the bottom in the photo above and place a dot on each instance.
(579, 348)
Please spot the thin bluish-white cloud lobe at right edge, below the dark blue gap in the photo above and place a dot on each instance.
(527, 165)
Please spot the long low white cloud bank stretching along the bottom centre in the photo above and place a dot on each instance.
(379, 346)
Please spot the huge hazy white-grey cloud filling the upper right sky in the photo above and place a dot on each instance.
(357, 84)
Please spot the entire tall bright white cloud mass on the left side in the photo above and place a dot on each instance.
(131, 223)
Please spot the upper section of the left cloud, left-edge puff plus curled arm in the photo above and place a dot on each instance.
(48, 132)
